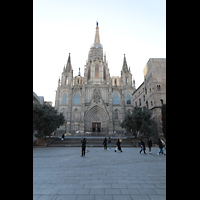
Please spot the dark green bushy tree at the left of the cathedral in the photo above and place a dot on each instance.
(46, 119)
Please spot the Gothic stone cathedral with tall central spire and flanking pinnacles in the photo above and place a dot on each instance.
(95, 102)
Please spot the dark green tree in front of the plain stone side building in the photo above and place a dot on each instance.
(140, 121)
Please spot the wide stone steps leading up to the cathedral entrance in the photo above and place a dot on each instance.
(91, 142)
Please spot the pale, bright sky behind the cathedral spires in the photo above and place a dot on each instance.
(136, 28)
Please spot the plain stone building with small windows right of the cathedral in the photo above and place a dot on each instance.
(152, 92)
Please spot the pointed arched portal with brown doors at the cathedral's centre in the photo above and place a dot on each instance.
(96, 119)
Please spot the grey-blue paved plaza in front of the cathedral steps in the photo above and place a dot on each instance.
(60, 173)
